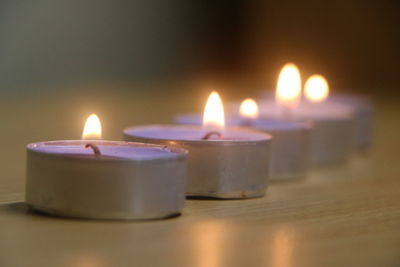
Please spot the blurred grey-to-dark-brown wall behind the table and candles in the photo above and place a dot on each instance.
(46, 43)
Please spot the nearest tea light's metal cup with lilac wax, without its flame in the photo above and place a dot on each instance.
(121, 180)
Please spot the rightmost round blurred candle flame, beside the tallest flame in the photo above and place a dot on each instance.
(316, 88)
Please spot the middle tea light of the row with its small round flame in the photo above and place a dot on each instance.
(290, 146)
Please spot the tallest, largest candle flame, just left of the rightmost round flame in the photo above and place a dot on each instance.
(288, 89)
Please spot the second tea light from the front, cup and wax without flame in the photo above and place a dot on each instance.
(234, 164)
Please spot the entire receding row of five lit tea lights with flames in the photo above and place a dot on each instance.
(218, 156)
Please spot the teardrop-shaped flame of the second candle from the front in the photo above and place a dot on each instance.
(214, 112)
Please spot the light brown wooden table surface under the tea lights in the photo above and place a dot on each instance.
(345, 215)
